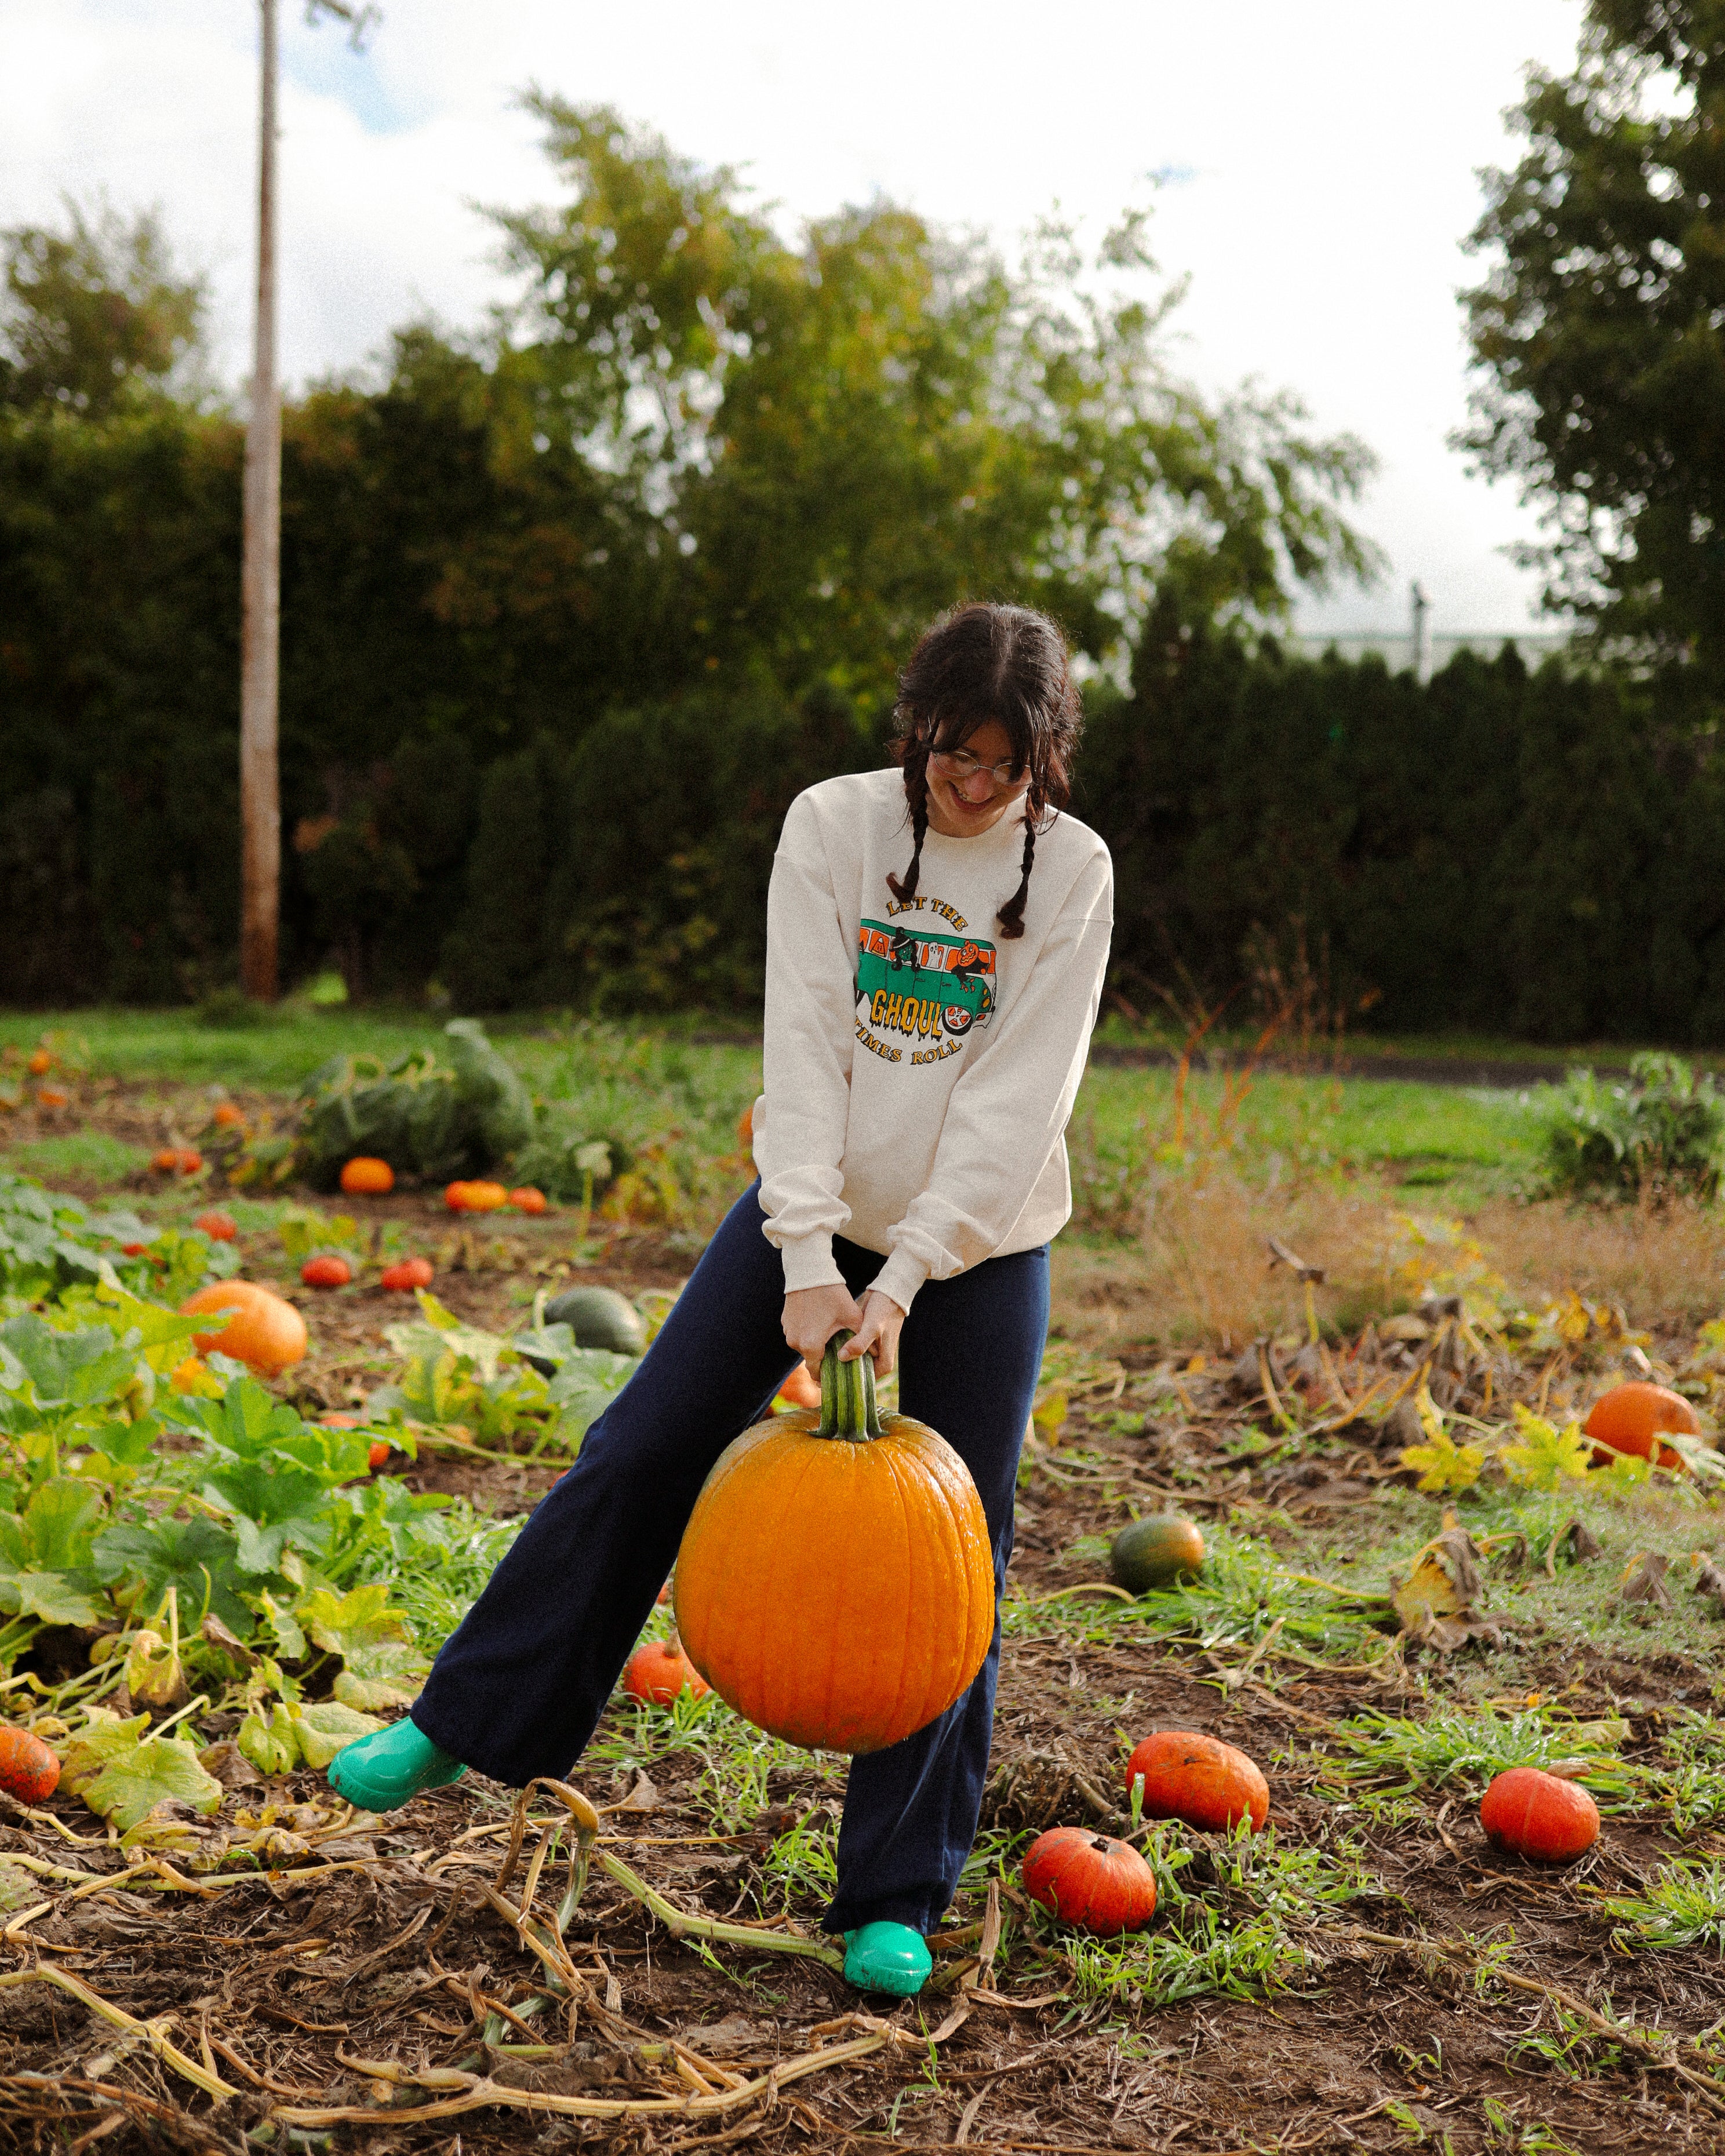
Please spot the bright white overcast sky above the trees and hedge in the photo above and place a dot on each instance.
(1321, 171)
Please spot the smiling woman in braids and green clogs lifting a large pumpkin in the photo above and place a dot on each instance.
(926, 1029)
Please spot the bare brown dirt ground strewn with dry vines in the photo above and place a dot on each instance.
(363, 1995)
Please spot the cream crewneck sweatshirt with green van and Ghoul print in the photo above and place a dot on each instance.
(920, 1066)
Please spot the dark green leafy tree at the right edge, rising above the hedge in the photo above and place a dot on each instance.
(1601, 324)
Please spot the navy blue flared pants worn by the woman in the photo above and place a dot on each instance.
(523, 1683)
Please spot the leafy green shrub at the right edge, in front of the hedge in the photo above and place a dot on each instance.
(1661, 1131)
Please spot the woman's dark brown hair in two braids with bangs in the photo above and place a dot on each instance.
(989, 663)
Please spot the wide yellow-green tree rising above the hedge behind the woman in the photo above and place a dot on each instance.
(864, 428)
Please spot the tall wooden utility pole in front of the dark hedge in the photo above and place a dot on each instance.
(260, 637)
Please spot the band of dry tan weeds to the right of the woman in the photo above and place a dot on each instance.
(1202, 1275)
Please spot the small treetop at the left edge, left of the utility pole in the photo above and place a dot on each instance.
(94, 318)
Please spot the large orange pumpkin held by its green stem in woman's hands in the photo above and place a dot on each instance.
(836, 1579)
